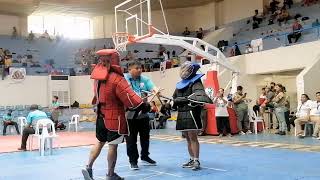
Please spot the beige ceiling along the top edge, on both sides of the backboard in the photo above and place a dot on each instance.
(81, 7)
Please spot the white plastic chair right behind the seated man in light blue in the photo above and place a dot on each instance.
(45, 138)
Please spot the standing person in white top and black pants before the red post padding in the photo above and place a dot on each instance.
(221, 112)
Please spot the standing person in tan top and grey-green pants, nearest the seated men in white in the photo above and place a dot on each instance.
(279, 103)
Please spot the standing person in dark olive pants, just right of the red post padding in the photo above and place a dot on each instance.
(241, 109)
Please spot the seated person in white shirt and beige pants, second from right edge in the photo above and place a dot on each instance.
(303, 113)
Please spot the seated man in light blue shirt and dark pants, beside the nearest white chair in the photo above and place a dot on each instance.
(32, 118)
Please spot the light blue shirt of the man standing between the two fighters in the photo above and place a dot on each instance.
(140, 84)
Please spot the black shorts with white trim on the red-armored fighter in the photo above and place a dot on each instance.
(105, 135)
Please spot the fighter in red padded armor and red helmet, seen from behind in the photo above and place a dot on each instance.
(113, 96)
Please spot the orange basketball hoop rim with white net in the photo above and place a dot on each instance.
(121, 39)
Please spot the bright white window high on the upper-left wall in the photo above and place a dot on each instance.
(67, 26)
